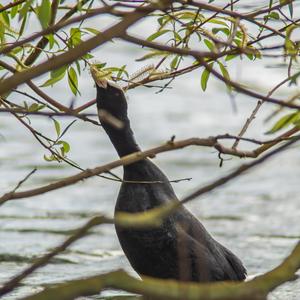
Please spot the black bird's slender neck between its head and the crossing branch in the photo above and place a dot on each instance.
(122, 139)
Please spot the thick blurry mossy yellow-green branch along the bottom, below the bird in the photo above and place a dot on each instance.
(257, 288)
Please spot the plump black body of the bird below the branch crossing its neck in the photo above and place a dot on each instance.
(180, 248)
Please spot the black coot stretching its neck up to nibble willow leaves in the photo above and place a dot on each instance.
(180, 248)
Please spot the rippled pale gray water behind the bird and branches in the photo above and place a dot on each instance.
(256, 216)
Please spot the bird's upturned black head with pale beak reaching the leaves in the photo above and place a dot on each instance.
(110, 97)
